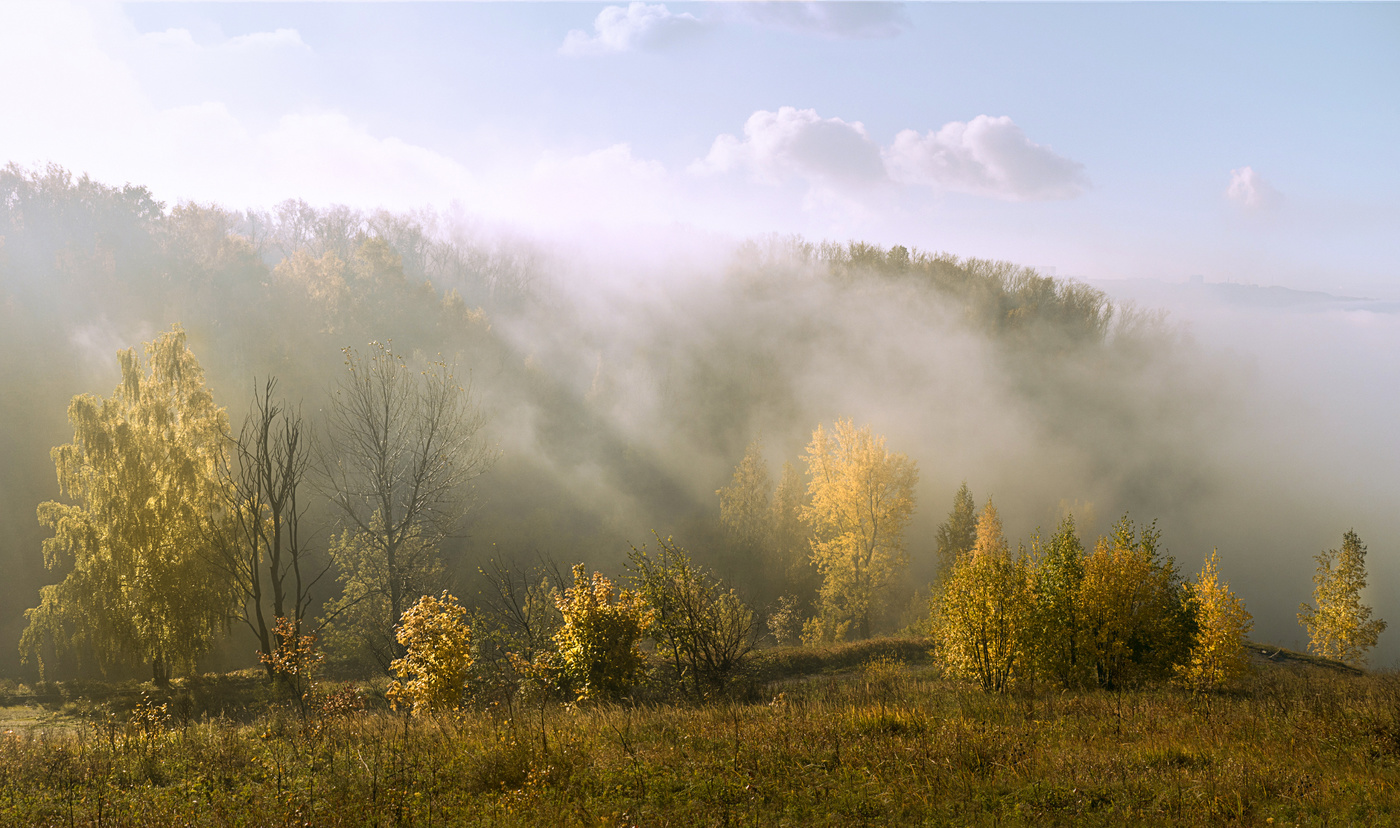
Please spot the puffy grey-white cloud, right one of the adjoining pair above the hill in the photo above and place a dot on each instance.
(986, 156)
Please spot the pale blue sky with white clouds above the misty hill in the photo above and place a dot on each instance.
(1237, 142)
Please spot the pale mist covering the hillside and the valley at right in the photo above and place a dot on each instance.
(622, 386)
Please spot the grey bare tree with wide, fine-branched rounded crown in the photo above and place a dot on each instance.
(402, 449)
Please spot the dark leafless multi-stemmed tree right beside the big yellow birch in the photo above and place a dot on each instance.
(264, 548)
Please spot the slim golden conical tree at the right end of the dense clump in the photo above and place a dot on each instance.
(1219, 658)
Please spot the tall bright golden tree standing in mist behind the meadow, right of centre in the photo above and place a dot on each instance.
(862, 498)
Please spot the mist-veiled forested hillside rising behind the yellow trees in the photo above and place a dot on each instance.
(619, 399)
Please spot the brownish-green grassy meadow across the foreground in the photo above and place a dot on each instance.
(881, 743)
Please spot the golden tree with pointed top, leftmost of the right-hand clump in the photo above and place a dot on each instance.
(985, 613)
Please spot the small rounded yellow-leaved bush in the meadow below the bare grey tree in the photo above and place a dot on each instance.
(437, 656)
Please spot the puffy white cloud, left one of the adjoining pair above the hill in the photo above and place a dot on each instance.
(799, 142)
